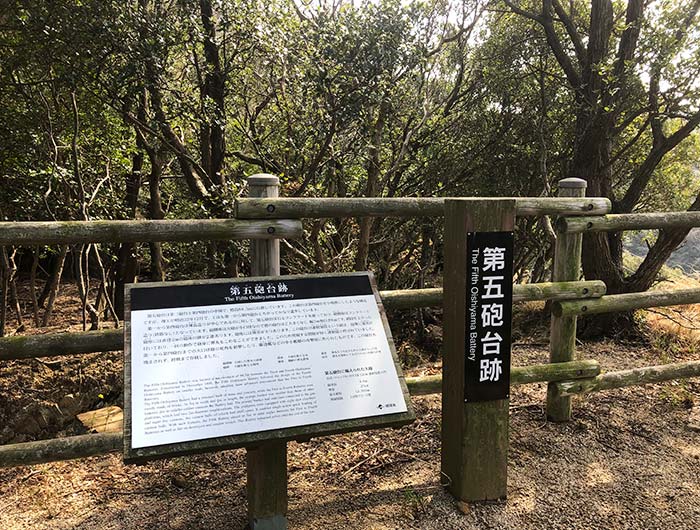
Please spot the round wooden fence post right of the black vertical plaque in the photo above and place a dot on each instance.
(566, 267)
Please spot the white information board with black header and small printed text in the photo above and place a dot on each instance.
(270, 354)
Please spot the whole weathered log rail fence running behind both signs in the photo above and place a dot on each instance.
(270, 218)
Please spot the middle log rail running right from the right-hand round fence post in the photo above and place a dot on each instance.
(626, 302)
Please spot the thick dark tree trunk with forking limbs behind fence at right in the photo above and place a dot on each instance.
(603, 77)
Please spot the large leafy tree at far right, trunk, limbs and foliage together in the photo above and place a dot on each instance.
(632, 70)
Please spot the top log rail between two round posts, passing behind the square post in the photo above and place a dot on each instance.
(297, 208)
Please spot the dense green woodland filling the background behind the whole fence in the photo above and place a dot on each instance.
(161, 108)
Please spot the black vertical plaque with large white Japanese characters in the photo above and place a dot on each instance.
(489, 315)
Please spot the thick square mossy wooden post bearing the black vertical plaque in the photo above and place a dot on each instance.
(474, 434)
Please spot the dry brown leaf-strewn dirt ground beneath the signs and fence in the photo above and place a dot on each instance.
(627, 460)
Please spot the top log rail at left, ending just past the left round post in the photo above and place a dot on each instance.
(76, 232)
